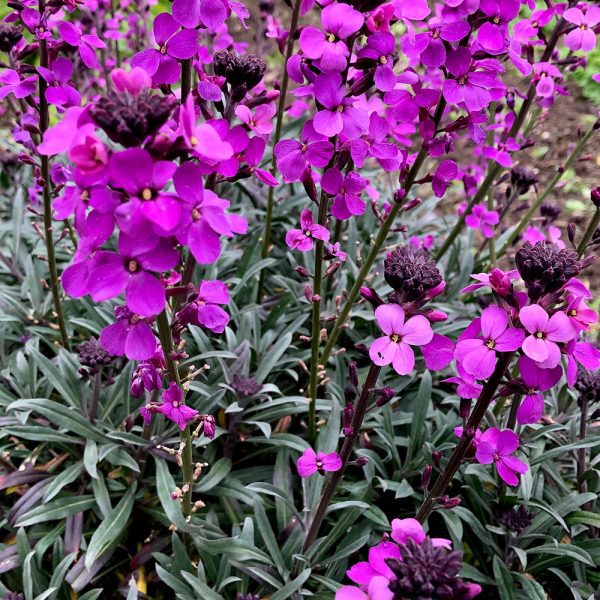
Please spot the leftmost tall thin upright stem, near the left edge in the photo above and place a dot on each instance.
(45, 170)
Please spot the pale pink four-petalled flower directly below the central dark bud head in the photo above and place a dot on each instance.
(395, 346)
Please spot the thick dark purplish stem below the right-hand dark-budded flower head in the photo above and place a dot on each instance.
(486, 396)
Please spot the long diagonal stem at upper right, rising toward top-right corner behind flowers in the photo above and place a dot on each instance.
(495, 169)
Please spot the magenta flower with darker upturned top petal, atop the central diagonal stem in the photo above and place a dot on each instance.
(472, 81)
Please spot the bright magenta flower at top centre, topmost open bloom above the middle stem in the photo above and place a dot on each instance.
(339, 22)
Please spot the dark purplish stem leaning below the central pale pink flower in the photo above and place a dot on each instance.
(347, 446)
